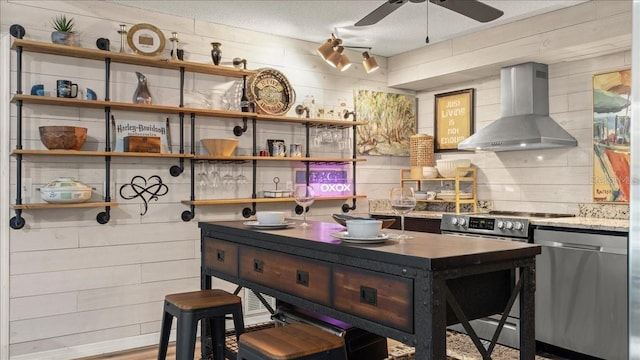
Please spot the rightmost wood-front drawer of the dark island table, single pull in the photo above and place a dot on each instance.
(383, 298)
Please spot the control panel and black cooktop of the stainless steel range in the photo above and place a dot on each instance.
(507, 225)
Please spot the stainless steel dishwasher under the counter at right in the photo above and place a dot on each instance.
(581, 291)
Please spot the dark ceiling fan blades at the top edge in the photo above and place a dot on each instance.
(470, 8)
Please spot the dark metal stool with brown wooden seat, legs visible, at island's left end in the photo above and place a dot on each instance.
(189, 308)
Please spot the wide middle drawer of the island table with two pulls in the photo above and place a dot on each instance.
(295, 275)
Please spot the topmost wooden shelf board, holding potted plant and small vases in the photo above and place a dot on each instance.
(131, 59)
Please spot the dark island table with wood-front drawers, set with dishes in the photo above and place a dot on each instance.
(408, 290)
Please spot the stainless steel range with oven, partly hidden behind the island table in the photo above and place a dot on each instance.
(504, 226)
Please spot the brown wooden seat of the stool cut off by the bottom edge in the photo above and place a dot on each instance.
(296, 341)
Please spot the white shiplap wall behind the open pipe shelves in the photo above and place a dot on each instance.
(78, 287)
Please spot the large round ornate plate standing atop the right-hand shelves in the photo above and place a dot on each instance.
(271, 92)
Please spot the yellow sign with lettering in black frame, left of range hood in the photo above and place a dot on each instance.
(454, 119)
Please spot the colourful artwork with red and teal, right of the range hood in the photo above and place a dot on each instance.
(611, 136)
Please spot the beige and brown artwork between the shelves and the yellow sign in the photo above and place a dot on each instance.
(392, 121)
